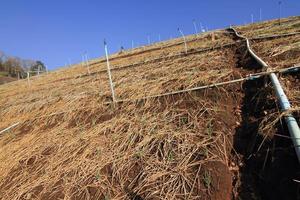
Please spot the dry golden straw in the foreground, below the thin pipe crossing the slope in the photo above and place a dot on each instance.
(118, 152)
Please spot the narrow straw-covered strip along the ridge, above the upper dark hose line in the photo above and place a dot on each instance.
(169, 48)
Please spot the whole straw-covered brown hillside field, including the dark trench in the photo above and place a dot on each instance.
(71, 141)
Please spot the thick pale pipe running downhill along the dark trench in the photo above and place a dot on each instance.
(285, 105)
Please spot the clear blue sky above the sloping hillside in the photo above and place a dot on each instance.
(56, 31)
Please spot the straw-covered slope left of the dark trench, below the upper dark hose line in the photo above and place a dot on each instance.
(73, 143)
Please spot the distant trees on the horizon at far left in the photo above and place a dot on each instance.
(18, 68)
